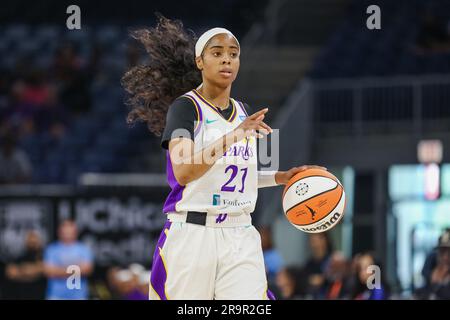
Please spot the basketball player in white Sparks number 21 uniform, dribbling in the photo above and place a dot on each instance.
(208, 248)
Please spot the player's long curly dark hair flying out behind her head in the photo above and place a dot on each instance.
(170, 72)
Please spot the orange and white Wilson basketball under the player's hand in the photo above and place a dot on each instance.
(314, 200)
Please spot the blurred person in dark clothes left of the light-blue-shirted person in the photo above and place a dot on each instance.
(26, 274)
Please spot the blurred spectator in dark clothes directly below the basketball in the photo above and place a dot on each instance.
(321, 250)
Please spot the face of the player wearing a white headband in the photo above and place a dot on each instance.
(220, 60)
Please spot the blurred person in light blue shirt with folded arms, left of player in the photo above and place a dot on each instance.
(62, 254)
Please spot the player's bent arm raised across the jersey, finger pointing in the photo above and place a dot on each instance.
(189, 165)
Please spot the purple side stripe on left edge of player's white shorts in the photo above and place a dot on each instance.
(159, 273)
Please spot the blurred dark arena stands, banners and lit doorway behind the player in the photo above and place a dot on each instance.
(355, 100)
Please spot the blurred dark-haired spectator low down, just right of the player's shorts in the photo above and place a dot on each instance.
(292, 283)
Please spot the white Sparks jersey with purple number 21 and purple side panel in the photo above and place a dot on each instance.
(230, 186)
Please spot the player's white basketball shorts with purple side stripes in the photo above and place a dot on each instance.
(203, 263)
